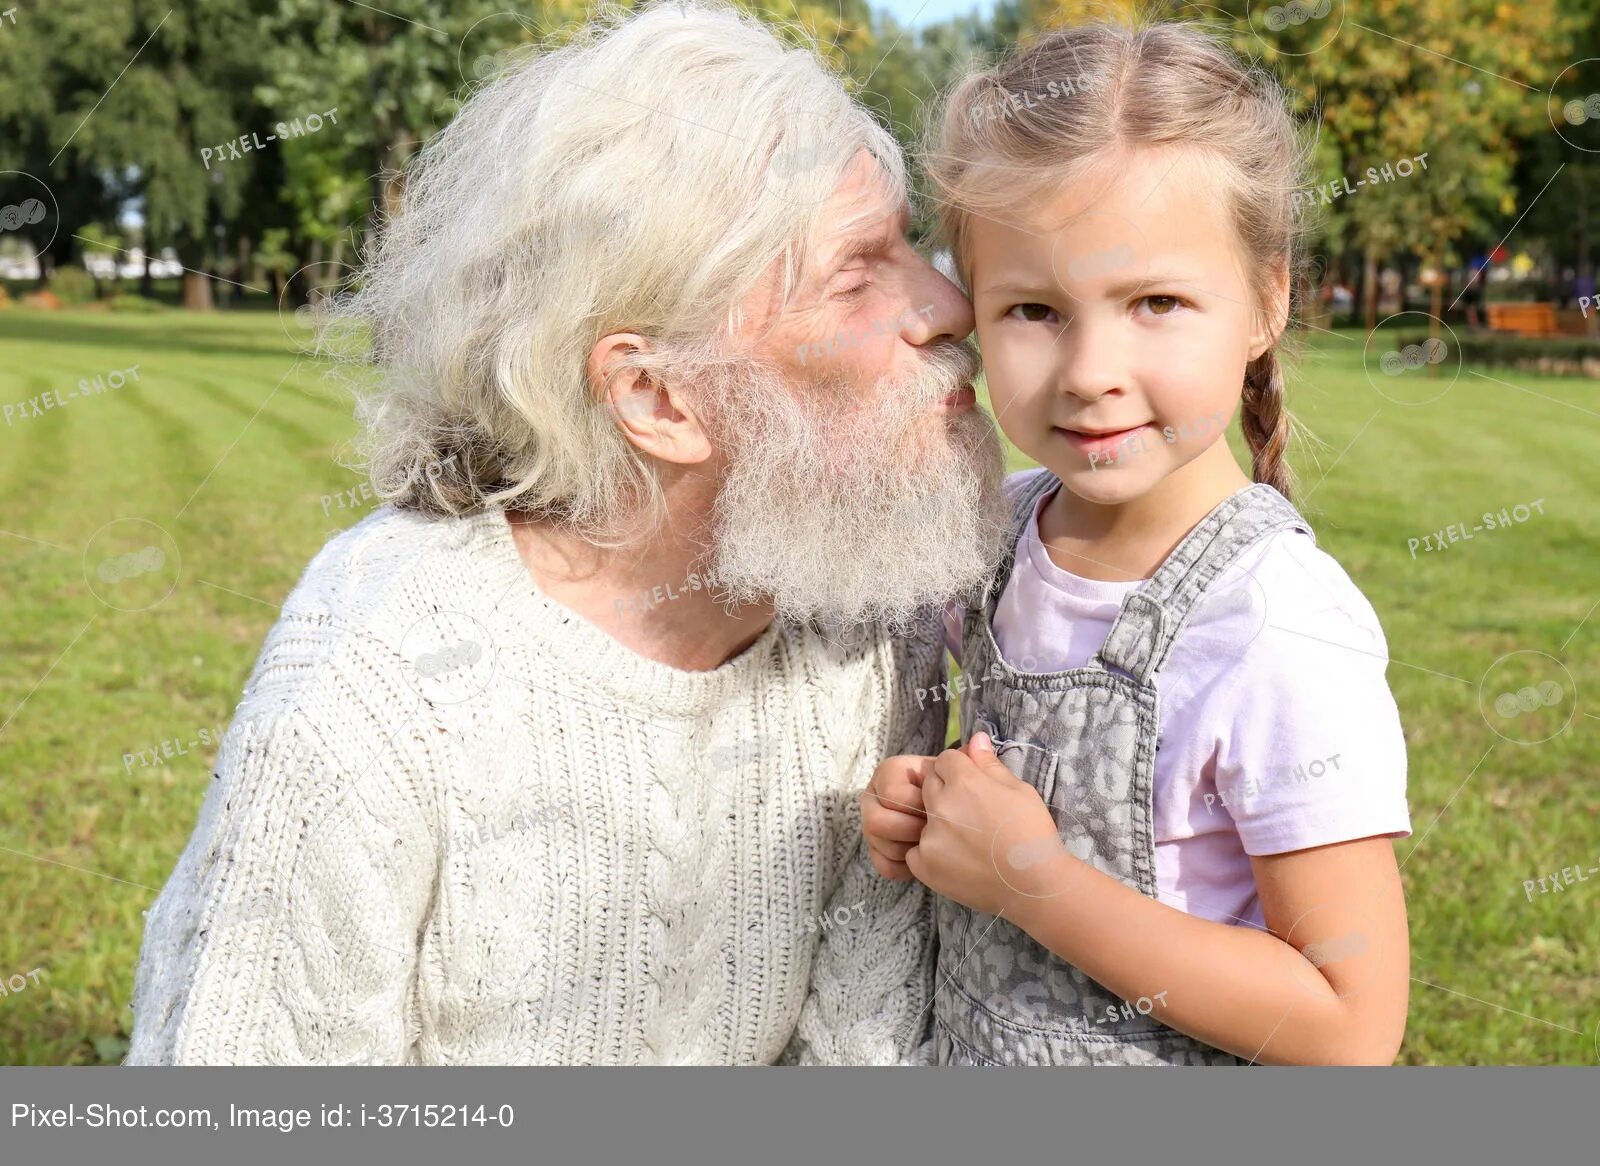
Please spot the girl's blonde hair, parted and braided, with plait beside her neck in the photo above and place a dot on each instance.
(1015, 134)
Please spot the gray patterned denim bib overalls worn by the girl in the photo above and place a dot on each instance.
(1086, 740)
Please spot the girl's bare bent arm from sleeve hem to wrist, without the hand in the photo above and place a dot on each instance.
(1327, 984)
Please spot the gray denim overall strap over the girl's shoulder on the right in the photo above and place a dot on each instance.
(1151, 618)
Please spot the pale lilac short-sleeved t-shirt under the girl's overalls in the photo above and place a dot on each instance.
(1278, 725)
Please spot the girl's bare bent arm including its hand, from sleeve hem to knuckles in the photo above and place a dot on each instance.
(1327, 984)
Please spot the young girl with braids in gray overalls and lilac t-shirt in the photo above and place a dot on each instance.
(1167, 842)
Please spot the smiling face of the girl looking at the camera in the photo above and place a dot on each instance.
(1116, 324)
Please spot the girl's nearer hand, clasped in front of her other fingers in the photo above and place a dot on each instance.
(990, 841)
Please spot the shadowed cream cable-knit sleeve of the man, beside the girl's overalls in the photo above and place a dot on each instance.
(871, 997)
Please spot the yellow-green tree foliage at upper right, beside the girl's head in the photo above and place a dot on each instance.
(1396, 79)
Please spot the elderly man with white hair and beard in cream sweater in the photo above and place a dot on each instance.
(556, 759)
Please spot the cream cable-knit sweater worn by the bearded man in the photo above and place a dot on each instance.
(454, 823)
